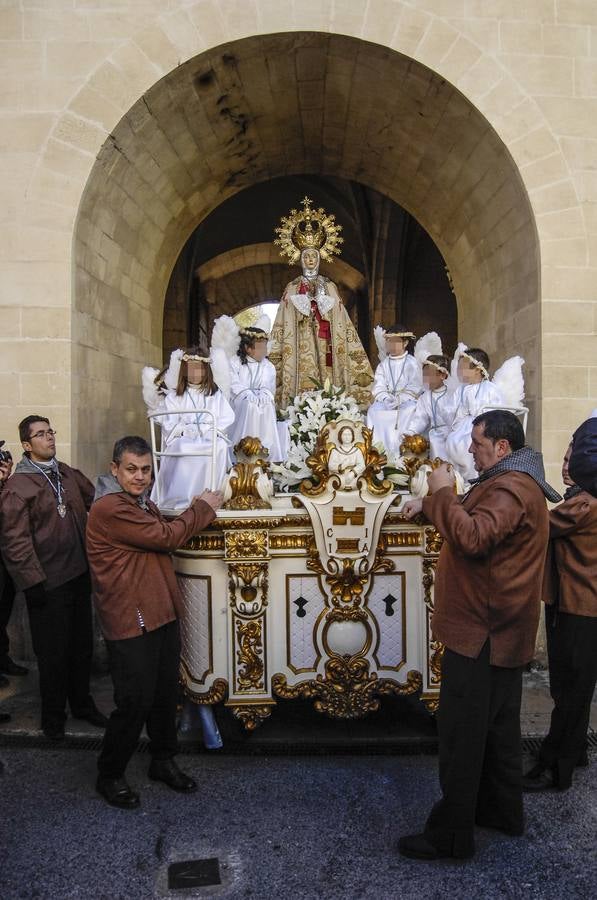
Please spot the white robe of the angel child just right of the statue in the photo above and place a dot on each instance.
(396, 386)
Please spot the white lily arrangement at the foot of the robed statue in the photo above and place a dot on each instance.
(307, 414)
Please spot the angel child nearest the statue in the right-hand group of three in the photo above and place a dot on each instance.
(396, 386)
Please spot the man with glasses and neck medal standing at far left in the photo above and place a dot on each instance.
(43, 516)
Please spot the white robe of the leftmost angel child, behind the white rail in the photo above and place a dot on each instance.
(183, 477)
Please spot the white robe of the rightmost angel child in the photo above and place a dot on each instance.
(470, 400)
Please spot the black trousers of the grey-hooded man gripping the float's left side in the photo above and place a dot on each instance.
(145, 673)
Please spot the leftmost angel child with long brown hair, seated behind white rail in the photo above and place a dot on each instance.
(185, 391)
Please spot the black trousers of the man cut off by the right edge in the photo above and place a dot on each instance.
(572, 654)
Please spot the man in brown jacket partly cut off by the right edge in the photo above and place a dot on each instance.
(570, 594)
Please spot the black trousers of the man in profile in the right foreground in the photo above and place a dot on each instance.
(480, 751)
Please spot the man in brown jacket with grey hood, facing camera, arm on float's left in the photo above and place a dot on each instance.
(136, 597)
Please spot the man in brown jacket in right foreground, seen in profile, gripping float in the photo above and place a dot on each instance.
(487, 602)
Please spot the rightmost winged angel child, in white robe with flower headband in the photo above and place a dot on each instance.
(477, 393)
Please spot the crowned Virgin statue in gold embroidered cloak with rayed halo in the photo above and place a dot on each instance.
(313, 338)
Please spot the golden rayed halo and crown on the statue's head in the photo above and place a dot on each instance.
(306, 229)
